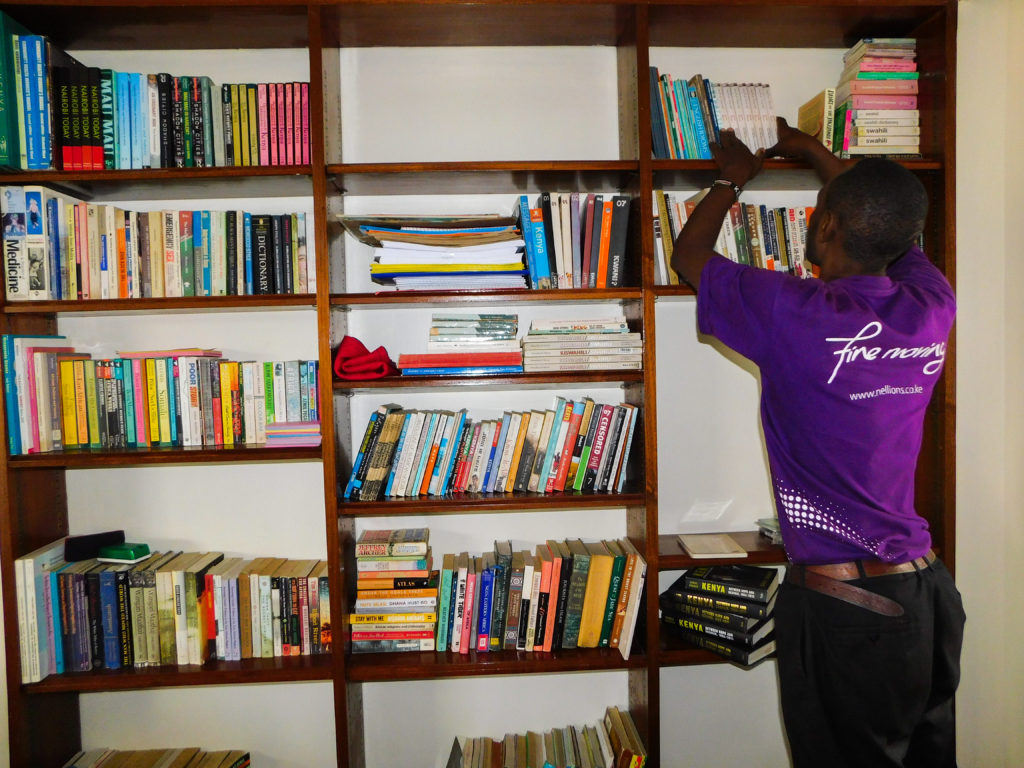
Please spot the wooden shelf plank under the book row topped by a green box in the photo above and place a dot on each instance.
(248, 671)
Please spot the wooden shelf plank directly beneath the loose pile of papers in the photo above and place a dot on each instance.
(389, 300)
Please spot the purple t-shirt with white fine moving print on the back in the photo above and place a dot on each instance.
(847, 371)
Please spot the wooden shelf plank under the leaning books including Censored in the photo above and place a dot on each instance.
(465, 503)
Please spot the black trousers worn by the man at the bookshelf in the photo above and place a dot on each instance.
(865, 691)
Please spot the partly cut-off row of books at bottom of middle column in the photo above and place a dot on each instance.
(612, 743)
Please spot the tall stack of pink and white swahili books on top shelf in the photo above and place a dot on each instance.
(877, 99)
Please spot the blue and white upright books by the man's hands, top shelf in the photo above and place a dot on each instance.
(688, 115)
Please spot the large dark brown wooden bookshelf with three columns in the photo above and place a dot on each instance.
(34, 507)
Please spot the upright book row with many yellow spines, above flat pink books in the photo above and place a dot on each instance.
(59, 399)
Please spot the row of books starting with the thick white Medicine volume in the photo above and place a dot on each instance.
(59, 247)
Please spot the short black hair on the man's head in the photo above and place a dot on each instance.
(881, 209)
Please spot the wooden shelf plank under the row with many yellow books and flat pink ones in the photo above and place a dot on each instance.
(162, 455)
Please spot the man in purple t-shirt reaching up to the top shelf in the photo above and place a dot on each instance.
(869, 623)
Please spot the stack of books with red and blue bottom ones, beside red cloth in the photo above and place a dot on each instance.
(467, 346)
